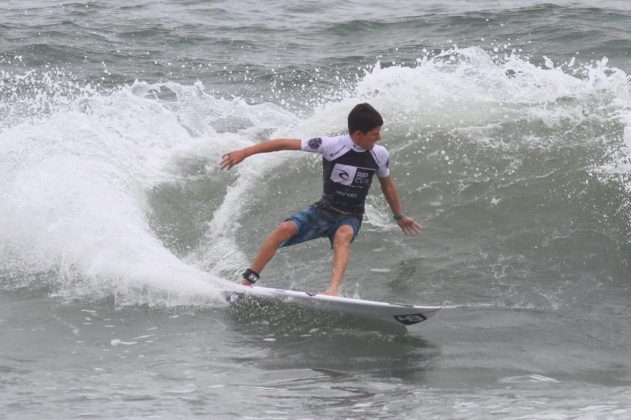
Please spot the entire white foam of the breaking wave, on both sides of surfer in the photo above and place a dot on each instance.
(77, 164)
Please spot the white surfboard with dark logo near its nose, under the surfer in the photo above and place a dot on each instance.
(388, 313)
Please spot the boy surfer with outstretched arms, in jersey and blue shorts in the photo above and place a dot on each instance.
(349, 163)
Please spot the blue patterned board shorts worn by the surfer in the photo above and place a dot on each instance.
(317, 222)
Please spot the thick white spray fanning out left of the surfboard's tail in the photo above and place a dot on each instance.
(74, 200)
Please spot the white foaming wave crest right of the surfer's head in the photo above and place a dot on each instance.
(469, 87)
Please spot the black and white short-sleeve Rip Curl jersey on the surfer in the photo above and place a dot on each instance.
(347, 170)
